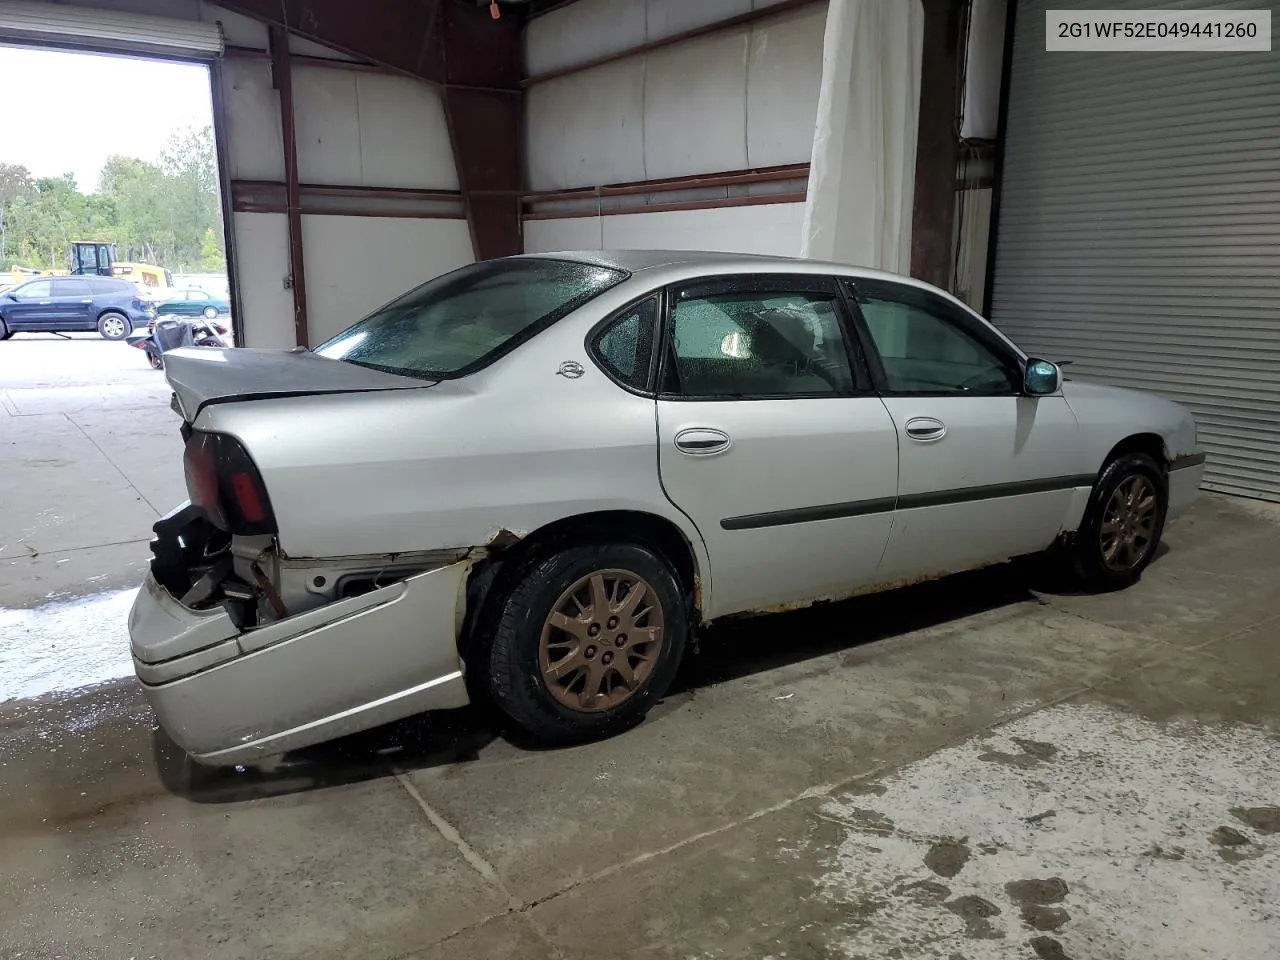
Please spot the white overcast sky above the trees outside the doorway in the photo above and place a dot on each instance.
(70, 112)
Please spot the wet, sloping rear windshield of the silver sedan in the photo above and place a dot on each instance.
(460, 322)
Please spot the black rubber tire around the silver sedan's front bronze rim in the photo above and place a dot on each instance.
(1090, 548)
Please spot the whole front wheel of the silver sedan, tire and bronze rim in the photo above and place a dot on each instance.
(1123, 523)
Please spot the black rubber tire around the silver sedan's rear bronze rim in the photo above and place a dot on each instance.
(516, 680)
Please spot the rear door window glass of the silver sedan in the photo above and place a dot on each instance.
(757, 345)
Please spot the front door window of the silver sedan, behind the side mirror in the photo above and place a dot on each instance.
(929, 346)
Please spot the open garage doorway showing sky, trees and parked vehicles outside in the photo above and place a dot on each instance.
(111, 217)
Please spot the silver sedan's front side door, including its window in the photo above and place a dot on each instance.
(985, 472)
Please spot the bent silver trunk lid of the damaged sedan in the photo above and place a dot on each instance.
(203, 376)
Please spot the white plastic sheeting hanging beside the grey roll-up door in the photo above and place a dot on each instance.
(862, 176)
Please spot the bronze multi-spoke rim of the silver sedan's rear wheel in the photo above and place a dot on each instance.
(602, 641)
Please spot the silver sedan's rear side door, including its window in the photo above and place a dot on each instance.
(772, 442)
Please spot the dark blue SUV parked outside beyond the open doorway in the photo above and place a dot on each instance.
(68, 304)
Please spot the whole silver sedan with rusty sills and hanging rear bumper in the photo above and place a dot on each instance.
(534, 478)
